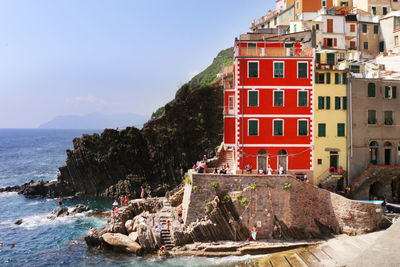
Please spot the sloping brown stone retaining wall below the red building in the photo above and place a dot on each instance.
(303, 211)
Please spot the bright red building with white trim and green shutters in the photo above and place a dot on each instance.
(268, 118)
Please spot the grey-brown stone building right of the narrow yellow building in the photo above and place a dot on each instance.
(374, 118)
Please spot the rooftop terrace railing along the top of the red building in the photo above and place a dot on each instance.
(273, 52)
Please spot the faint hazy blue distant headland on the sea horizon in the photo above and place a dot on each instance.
(95, 121)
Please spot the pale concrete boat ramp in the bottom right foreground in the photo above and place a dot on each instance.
(374, 249)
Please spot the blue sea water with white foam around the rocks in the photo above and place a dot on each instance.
(36, 154)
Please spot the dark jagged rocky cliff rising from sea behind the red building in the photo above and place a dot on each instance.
(119, 162)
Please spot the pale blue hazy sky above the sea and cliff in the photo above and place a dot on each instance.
(75, 57)
